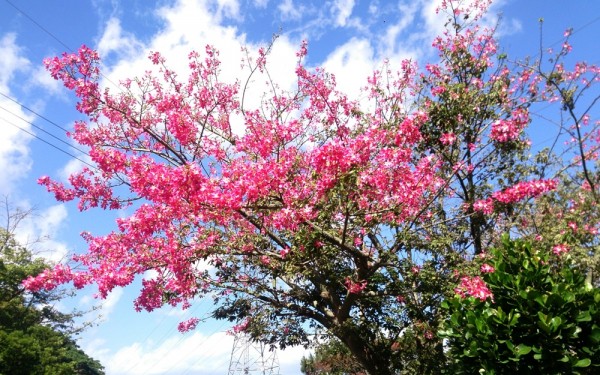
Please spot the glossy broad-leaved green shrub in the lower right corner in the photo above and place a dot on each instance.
(545, 317)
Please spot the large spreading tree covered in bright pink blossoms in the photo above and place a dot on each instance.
(320, 212)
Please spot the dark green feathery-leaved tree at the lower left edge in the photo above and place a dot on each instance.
(34, 337)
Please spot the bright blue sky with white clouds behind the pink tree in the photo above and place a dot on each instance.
(348, 37)
